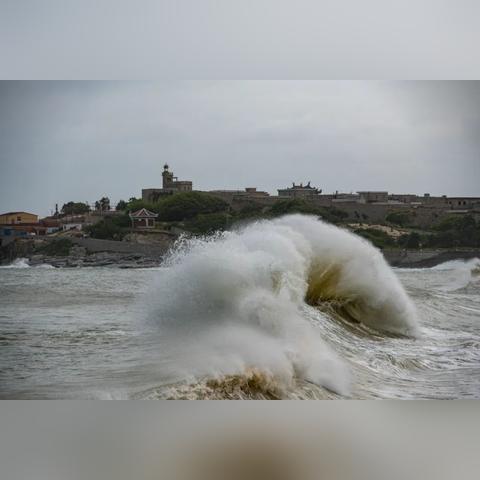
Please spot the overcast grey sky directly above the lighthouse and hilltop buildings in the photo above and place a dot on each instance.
(62, 141)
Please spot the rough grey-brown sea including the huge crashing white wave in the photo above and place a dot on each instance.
(285, 309)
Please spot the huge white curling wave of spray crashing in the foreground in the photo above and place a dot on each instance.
(233, 302)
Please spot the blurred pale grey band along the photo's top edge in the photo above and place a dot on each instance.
(249, 39)
